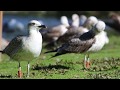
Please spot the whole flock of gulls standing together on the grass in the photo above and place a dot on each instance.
(81, 35)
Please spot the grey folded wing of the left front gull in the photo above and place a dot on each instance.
(13, 46)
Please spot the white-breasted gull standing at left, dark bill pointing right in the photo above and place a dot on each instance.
(26, 48)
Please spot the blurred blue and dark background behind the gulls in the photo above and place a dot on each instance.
(15, 22)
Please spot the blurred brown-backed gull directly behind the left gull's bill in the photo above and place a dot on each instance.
(52, 34)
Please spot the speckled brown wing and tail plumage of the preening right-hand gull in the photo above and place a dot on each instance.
(76, 45)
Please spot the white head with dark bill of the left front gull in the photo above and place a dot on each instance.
(34, 24)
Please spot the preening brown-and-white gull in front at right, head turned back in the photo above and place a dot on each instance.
(85, 43)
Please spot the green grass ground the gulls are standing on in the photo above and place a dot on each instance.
(105, 64)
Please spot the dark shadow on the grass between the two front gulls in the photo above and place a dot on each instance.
(49, 67)
